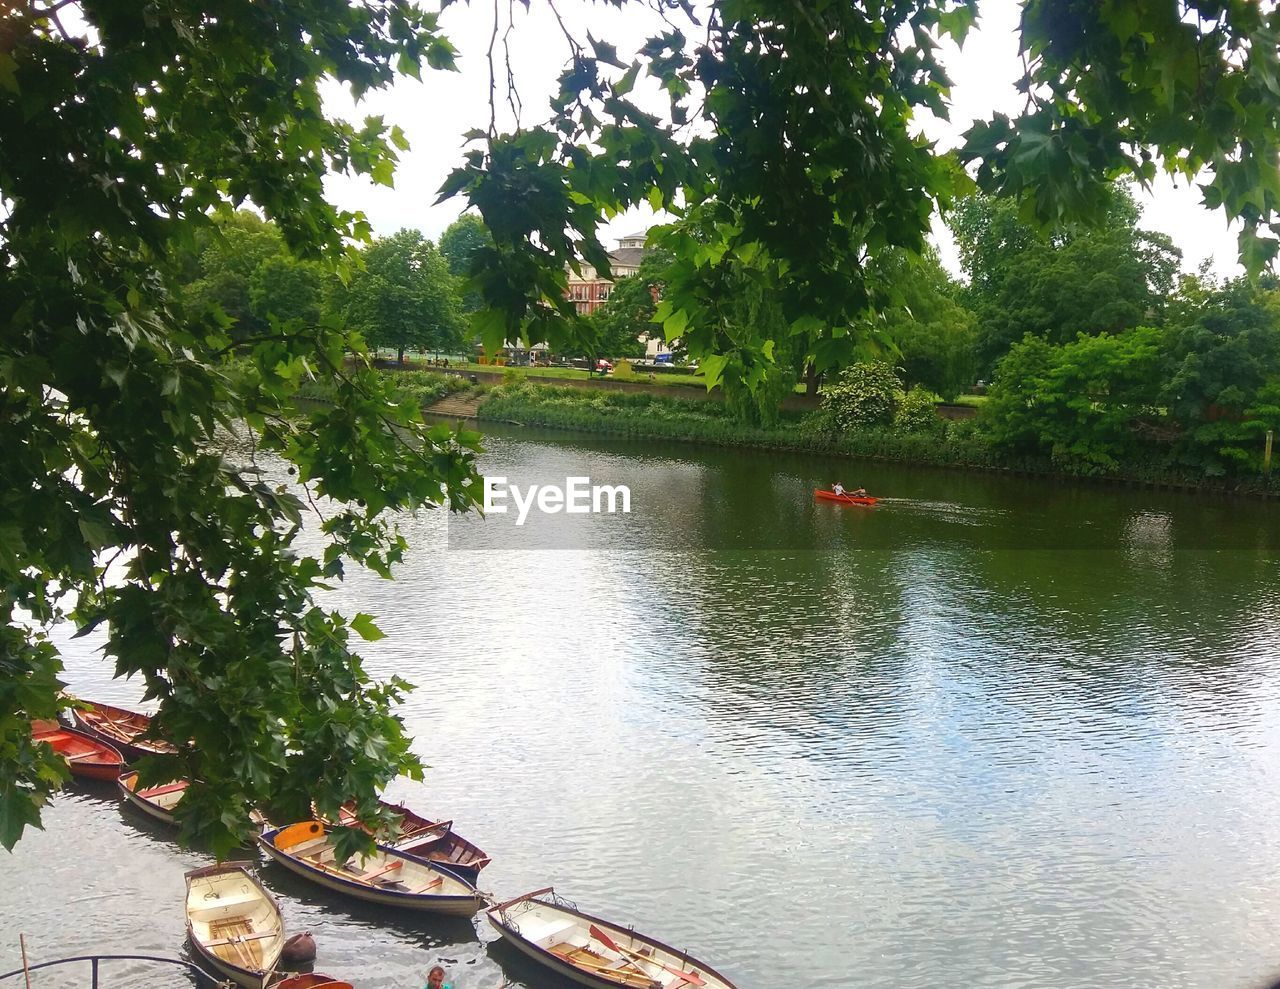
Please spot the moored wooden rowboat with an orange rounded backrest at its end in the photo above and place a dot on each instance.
(387, 877)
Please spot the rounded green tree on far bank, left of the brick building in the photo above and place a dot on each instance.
(405, 297)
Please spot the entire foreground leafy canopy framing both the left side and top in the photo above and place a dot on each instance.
(789, 155)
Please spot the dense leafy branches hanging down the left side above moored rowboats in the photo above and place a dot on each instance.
(131, 501)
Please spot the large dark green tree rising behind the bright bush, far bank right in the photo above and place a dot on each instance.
(1099, 280)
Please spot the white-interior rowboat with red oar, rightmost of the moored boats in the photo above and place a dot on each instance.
(595, 953)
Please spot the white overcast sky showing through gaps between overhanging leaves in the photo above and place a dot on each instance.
(435, 113)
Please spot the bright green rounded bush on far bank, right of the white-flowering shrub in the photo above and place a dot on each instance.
(1077, 402)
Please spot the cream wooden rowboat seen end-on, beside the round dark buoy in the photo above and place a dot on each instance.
(234, 924)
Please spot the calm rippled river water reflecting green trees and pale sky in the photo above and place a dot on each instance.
(991, 734)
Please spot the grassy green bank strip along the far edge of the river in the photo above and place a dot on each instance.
(949, 445)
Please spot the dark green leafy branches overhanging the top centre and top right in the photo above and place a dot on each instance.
(806, 162)
